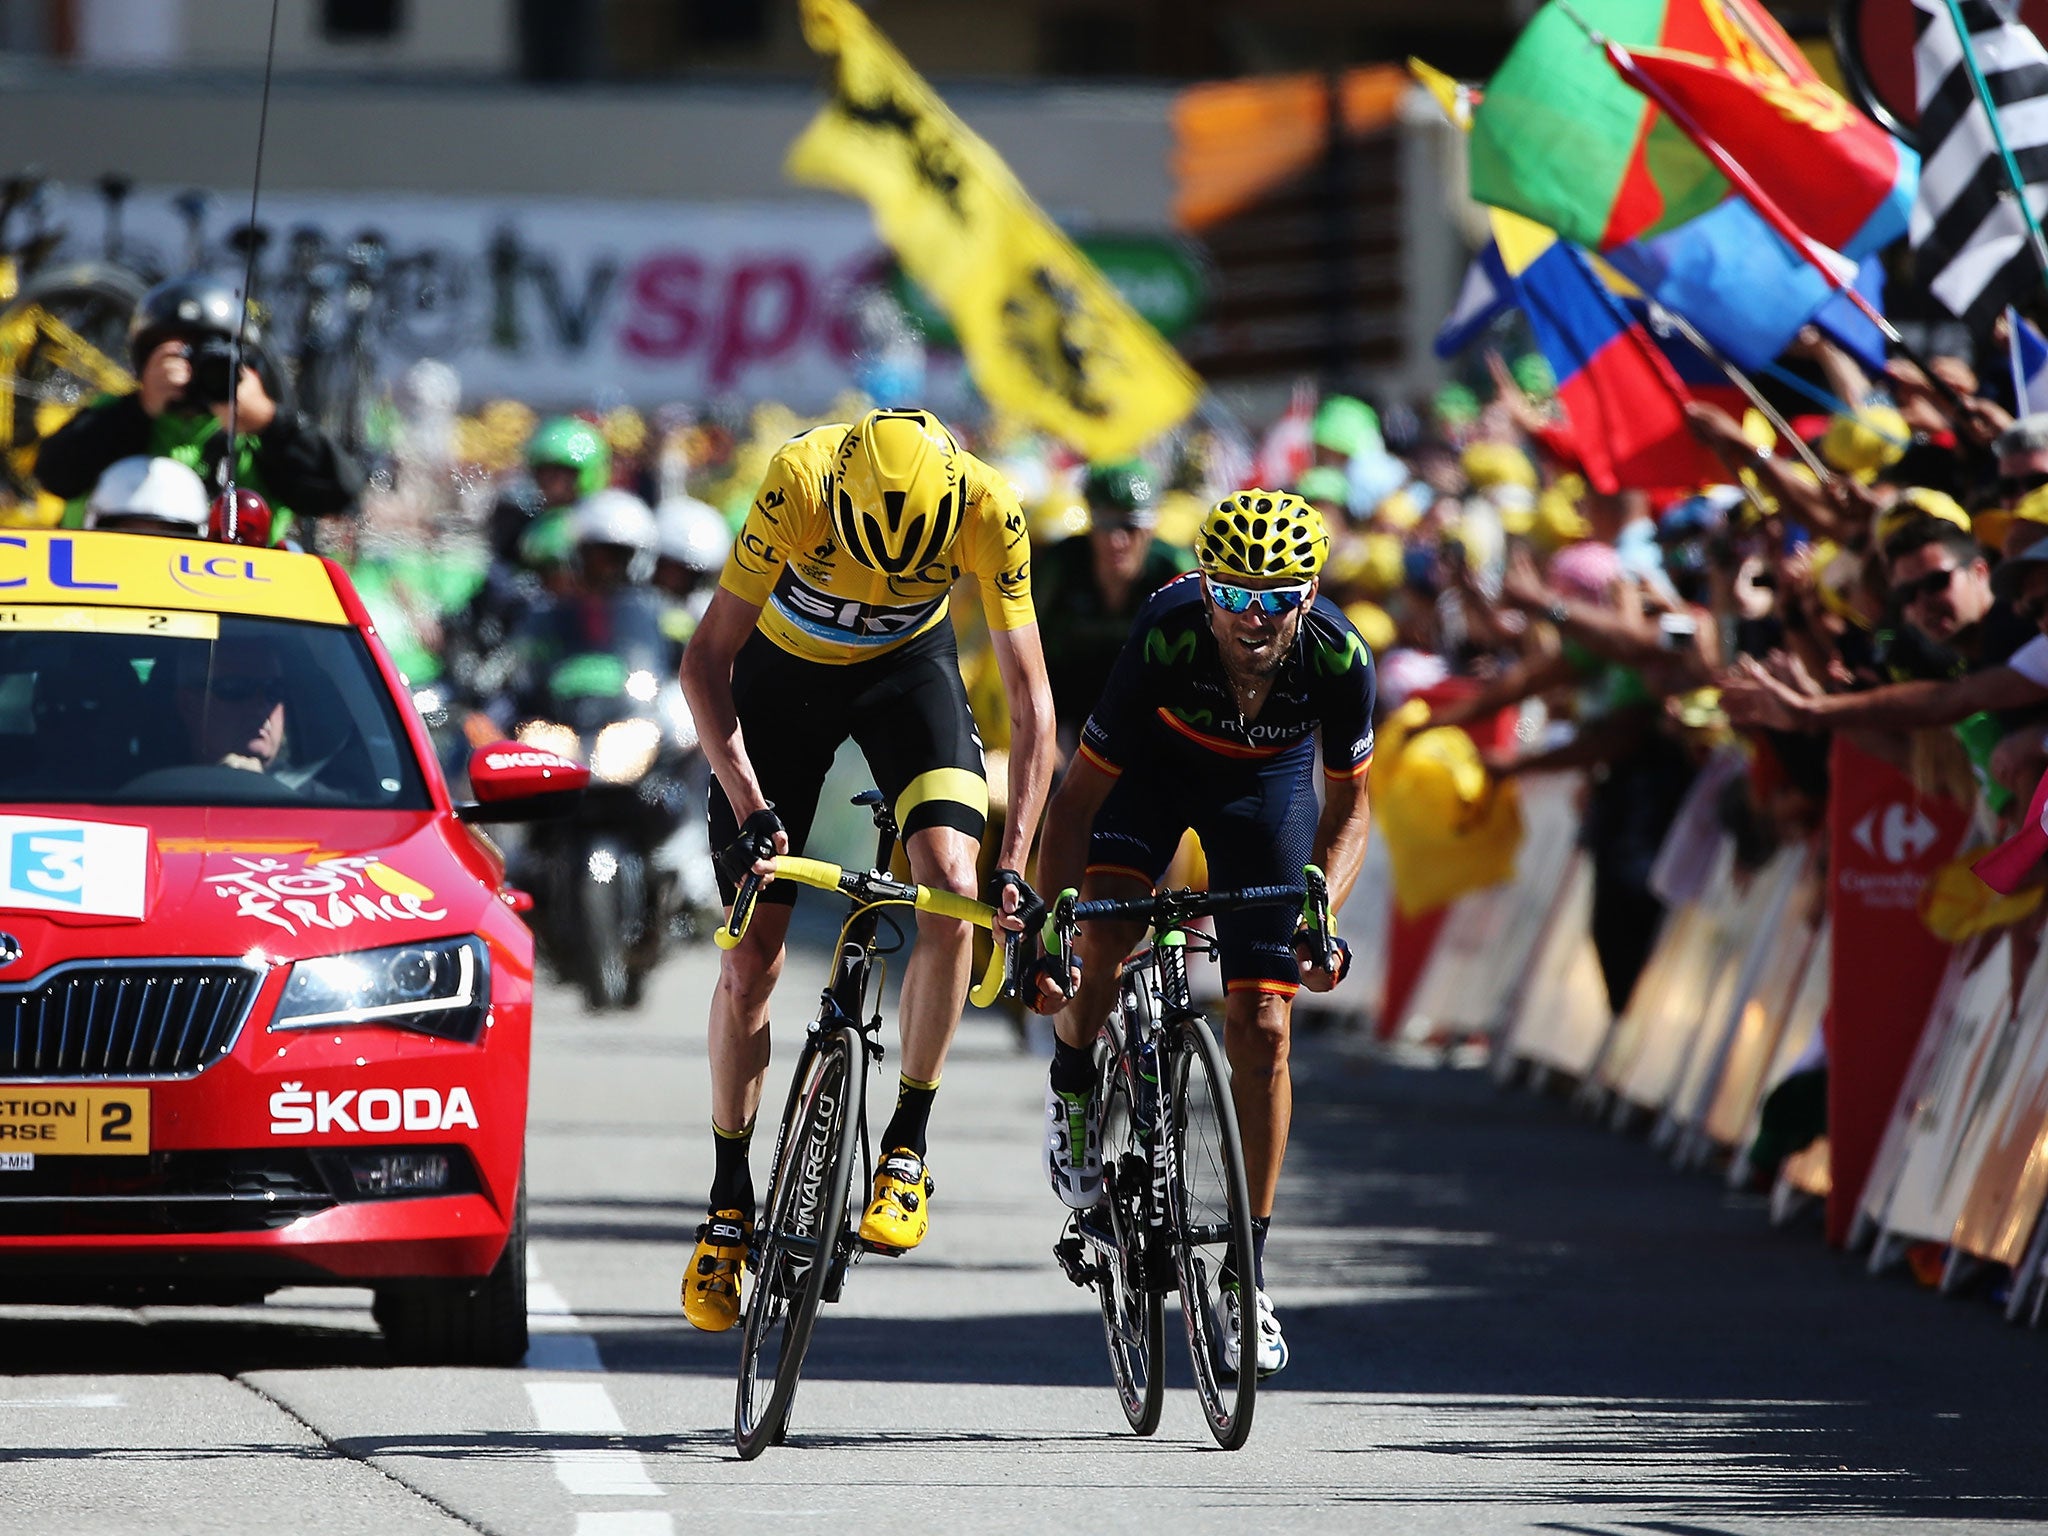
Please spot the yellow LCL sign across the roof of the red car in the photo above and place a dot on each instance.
(122, 570)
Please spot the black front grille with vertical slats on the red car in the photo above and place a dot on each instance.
(124, 1019)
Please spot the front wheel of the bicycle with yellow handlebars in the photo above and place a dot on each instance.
(800, 1236)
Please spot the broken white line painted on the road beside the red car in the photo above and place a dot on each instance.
(583, 1408)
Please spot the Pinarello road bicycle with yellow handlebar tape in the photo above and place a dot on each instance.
(808, 1236)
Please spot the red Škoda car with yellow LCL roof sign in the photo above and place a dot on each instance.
(265, 998)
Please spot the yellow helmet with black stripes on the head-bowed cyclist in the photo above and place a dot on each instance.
(896, 497)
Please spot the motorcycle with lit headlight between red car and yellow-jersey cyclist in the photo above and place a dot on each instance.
(607, 880)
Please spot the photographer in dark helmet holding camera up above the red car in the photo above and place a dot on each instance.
(181, 347)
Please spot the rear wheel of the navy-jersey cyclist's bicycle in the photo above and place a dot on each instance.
(1134, 1314)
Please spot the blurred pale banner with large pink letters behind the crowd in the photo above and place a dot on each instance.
(546, 300)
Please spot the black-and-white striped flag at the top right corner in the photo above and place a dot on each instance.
(1969, 234)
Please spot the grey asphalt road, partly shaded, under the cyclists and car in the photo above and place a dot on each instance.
(1502, 1320)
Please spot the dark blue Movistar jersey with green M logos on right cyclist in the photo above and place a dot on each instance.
(1168, 695)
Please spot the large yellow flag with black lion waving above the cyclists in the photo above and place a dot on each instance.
(1046, 335)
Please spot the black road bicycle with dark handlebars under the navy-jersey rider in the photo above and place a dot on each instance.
(1177, 1209)
